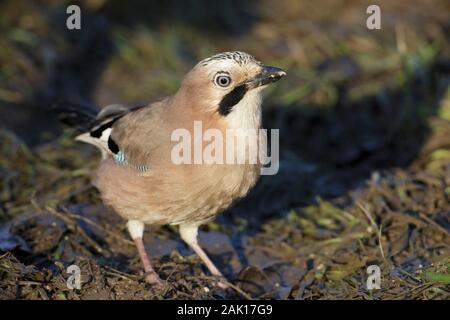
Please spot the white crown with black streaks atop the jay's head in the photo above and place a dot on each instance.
(227, 60)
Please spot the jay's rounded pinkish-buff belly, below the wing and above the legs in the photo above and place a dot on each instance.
(172, 197)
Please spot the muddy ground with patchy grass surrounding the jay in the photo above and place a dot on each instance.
(364, 119)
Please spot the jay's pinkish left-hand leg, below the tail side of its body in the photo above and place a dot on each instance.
(136, 229)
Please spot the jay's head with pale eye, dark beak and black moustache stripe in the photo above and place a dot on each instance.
(222, 83)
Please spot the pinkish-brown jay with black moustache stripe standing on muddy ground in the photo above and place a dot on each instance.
(137, 176)
